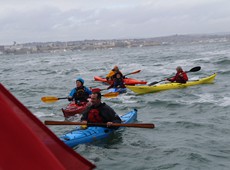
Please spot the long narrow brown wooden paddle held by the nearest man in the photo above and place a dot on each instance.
(136, 125)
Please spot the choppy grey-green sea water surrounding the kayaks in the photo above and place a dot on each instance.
(192, 124)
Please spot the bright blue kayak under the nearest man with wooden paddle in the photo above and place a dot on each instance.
(94, 133)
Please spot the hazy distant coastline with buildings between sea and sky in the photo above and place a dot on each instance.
(58, 46)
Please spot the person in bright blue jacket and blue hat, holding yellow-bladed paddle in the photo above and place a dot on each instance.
(80, 93)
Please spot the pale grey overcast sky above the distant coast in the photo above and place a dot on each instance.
(69, 20)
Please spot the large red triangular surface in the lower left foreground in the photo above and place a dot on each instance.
(26, 143)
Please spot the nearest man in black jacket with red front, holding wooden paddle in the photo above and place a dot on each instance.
(98, 112)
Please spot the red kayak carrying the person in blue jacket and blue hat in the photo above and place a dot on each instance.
(73, 109)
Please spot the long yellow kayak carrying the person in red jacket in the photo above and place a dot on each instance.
(168, 86)
